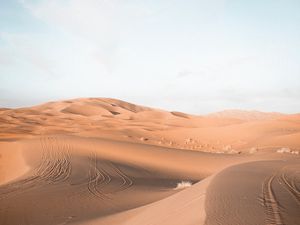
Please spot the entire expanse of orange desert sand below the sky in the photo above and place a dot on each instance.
(109, 162)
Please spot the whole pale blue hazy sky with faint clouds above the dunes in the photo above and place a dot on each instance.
(194, 56)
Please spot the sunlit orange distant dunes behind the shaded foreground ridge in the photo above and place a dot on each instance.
(118, 120)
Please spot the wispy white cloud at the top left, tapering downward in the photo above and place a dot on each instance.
(103, 23)
